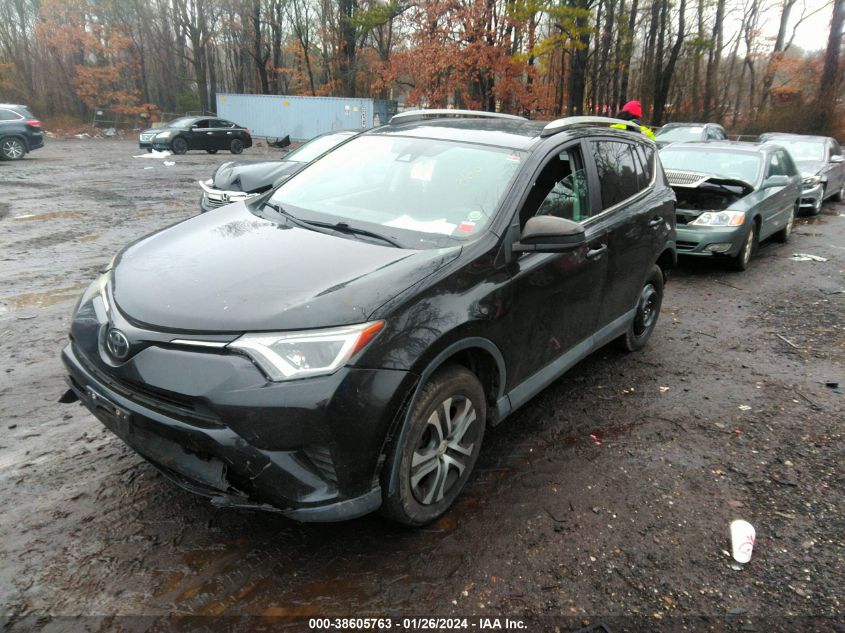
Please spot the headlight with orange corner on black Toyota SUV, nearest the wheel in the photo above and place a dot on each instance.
(292, 355)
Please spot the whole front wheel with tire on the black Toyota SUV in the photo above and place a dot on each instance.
(437, 450)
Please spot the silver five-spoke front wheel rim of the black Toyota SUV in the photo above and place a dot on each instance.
(443, 450)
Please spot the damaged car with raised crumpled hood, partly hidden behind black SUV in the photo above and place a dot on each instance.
(239, 180)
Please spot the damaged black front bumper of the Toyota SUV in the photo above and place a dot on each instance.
(308, 451)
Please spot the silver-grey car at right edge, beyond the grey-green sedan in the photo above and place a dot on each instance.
(821, 164)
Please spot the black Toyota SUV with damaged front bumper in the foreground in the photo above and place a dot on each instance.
(342, 343)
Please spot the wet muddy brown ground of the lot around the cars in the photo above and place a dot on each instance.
(719, 418)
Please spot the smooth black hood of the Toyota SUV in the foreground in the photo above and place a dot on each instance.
(231, 271)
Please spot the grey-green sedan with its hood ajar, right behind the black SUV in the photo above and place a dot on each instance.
(731, 196)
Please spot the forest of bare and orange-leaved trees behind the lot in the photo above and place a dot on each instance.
(733, 61)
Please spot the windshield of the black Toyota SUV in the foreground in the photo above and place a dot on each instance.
(412, 185)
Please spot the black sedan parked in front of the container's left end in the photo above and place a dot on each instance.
(190, 133)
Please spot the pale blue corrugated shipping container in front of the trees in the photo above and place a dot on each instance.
(303, 118)
